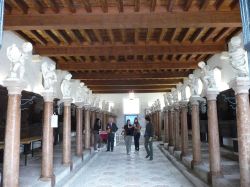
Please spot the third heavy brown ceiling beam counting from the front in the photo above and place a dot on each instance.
(124, 66)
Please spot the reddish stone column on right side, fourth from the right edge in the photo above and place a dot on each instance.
(184, 129)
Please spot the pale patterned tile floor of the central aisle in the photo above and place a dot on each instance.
(117, 169)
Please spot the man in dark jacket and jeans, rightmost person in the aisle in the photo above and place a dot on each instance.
(149, 133)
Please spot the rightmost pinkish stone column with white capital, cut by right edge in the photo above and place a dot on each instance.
(241, 87)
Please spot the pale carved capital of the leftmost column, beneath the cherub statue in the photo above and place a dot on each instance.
(14, 87)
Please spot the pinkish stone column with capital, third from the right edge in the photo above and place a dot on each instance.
(196, 131)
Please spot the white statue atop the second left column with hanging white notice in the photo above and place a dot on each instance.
(49, 76)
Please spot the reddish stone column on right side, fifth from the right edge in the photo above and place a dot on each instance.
(177, 128)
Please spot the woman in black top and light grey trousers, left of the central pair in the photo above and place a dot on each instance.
(128, 134)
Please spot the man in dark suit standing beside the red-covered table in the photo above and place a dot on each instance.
(111, 130)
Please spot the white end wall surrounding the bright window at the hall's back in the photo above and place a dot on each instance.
(144, 99)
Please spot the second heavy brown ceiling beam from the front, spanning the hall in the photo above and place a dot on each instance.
(129, 49)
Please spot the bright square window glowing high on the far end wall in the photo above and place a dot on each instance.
(131, 106)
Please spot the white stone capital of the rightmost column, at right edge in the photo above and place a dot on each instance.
(240, 85)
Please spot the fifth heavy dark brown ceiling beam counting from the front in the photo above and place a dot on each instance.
(133, 82)
